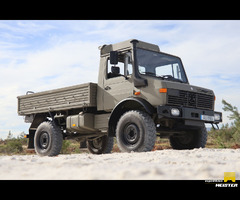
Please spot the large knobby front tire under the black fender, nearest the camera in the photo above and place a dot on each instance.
(136, 132)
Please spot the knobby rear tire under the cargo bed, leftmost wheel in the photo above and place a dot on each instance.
(48, 139)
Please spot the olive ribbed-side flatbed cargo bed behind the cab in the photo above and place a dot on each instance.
(77, 96)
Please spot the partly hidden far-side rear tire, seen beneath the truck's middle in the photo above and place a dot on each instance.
(100, 145)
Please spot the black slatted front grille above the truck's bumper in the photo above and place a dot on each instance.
(191, 99)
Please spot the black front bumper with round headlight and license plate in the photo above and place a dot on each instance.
(189, 114)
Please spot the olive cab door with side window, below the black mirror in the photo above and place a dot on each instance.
(118, 83)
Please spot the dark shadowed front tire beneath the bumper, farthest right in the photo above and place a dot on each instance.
(192, 139)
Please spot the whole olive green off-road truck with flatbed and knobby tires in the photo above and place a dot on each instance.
(141, 93)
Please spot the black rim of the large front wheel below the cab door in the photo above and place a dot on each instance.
(131, 134)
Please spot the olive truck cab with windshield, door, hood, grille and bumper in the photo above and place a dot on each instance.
(138, 73)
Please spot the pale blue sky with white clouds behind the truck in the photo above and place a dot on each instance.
(40, 55)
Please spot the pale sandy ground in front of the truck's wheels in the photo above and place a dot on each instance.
(196, 164)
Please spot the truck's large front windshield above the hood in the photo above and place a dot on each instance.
(160, 65)
